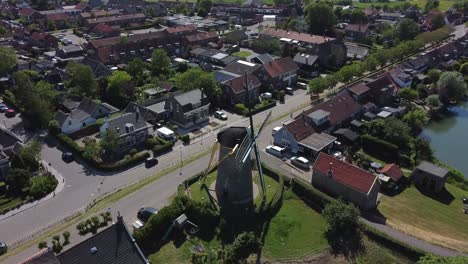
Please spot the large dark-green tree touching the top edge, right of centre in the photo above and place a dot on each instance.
(320, 17)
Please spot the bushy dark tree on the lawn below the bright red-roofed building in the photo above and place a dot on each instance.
(342, 225)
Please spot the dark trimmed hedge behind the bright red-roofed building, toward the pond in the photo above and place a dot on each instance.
(379, 148)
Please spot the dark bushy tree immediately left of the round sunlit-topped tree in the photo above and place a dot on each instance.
(82, 80)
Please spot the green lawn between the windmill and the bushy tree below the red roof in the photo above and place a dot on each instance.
(295, 231)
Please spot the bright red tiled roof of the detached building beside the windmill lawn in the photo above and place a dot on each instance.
(345, 173)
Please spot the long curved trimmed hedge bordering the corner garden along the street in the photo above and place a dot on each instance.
(119, 165)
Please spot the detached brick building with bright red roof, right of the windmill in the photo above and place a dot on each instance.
(341, 179)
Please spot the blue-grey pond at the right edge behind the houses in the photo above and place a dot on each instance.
(449, 137)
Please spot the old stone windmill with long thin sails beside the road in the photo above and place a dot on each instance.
(234, 187)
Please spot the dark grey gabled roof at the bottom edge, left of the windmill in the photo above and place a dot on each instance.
(113, 245)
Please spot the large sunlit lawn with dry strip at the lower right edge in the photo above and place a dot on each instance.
(429, 219)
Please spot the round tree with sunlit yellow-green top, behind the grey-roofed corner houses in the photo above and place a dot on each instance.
(120, 89)
